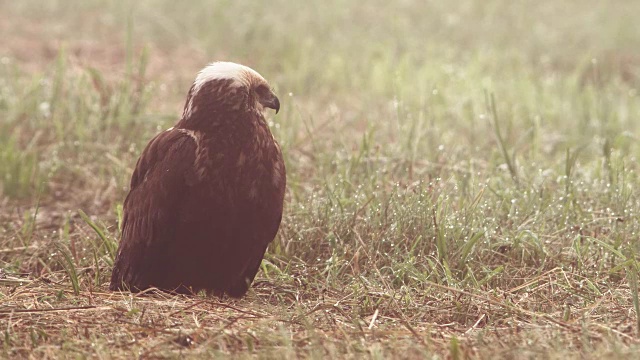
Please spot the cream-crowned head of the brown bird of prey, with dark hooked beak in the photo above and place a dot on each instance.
(229, 87)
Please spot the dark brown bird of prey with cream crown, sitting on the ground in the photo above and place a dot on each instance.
(206, 195)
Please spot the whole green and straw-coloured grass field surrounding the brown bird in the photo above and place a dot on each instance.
(462, 177)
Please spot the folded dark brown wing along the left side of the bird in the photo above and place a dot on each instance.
(160, 179)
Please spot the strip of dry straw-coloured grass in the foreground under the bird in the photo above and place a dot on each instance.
(45, 317)
